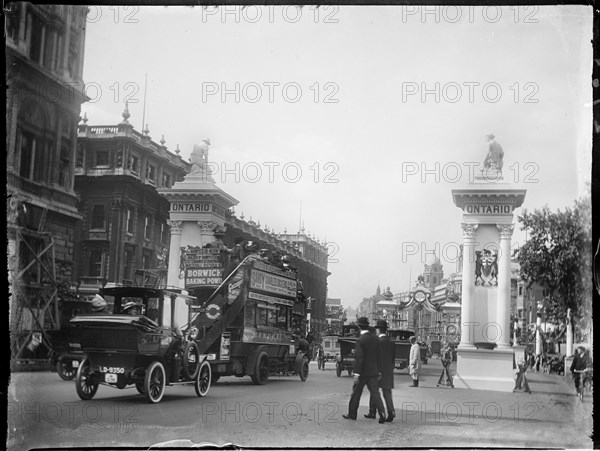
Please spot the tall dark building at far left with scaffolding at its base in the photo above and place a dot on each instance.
(44, 63)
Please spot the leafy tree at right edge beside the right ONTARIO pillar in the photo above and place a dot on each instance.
(558, 257)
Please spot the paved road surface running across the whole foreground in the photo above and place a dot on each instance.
(45, 411)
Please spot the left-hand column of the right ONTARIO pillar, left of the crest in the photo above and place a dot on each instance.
(466, 309)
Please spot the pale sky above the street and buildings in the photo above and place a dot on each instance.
(357, 121)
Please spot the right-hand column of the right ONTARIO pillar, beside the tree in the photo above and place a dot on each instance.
(503, 303)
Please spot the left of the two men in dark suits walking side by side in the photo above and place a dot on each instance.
(367, 371)
